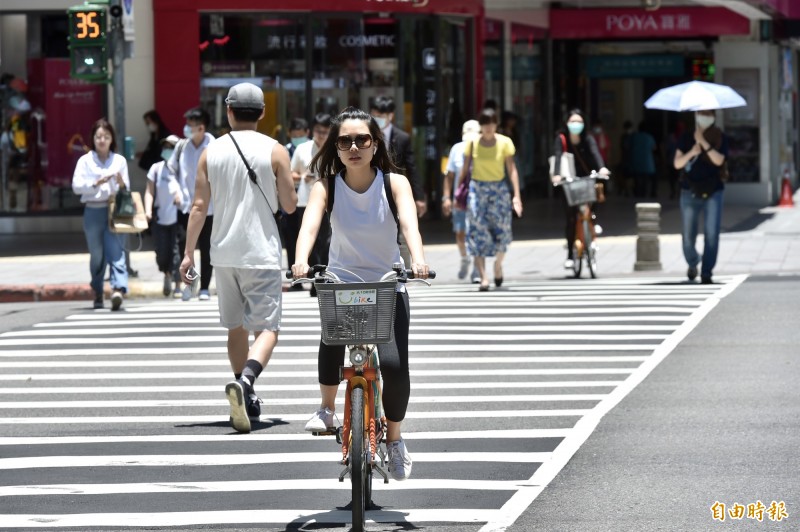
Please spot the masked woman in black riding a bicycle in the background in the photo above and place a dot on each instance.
(574, 139)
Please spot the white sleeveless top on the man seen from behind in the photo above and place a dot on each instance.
(245, 234)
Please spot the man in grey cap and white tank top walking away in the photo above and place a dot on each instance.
(247, 176)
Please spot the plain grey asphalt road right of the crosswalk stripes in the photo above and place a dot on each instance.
(717, 421)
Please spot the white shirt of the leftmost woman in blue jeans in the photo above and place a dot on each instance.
(89, 169)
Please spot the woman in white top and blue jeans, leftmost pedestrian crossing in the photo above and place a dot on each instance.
(98, 176)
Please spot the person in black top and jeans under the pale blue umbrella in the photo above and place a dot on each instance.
(701, 158)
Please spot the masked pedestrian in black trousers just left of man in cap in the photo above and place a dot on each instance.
(183, 163)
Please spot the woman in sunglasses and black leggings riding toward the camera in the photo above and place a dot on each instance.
(364, 242)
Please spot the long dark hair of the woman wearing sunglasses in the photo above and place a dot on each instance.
(326, 163)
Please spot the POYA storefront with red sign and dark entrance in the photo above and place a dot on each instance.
(622, 56)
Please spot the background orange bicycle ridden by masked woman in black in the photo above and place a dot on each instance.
(581, 193)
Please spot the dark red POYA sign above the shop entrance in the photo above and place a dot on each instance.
(640, 24)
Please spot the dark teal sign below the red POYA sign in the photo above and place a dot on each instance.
(635, 66)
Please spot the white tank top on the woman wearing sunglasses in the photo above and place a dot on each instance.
(363, 232)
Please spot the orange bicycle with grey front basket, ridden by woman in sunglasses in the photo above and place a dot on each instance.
(359, 316)
